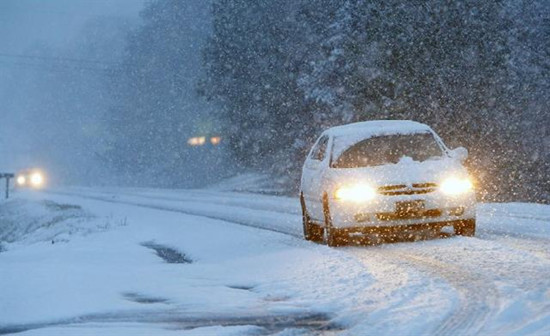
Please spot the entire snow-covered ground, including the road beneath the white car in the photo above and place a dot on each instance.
(80, 261)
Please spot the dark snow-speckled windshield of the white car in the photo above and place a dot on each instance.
(387, 149)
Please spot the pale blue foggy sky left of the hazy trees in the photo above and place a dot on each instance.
(52, 56)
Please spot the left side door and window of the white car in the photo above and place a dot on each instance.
(312, 178)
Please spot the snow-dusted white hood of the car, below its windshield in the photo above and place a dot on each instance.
(405, 172)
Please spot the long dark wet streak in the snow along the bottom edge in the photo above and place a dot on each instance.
(309, 323)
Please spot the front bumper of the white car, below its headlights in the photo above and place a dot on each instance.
(383, 210)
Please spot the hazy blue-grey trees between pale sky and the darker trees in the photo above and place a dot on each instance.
(155, 108)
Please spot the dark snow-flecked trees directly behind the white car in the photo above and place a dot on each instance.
(303, 66)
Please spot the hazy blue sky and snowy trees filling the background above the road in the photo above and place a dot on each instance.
(110, 92)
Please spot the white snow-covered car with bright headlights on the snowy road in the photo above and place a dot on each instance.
(375, 177)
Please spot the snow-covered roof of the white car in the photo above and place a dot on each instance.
(378, 127)
